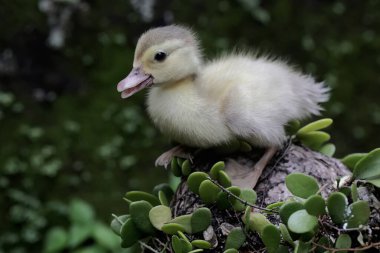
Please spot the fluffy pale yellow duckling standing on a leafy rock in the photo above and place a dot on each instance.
(206, 104)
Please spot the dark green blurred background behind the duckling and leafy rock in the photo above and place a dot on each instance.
(70, 147)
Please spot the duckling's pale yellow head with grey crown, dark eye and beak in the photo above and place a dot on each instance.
(163, 55)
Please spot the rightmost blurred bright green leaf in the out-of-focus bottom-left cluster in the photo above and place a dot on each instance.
(103, 236)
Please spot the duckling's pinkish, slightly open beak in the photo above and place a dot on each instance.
(134, 82)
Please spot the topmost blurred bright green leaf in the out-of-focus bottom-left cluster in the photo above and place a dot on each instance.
(80, 212)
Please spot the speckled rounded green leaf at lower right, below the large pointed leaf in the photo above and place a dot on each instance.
(359, 214)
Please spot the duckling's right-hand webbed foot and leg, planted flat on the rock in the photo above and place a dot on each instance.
(246, 177)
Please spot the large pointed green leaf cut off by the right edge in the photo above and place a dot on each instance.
(369, 166)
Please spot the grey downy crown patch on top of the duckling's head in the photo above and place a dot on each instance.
(159, 35)
